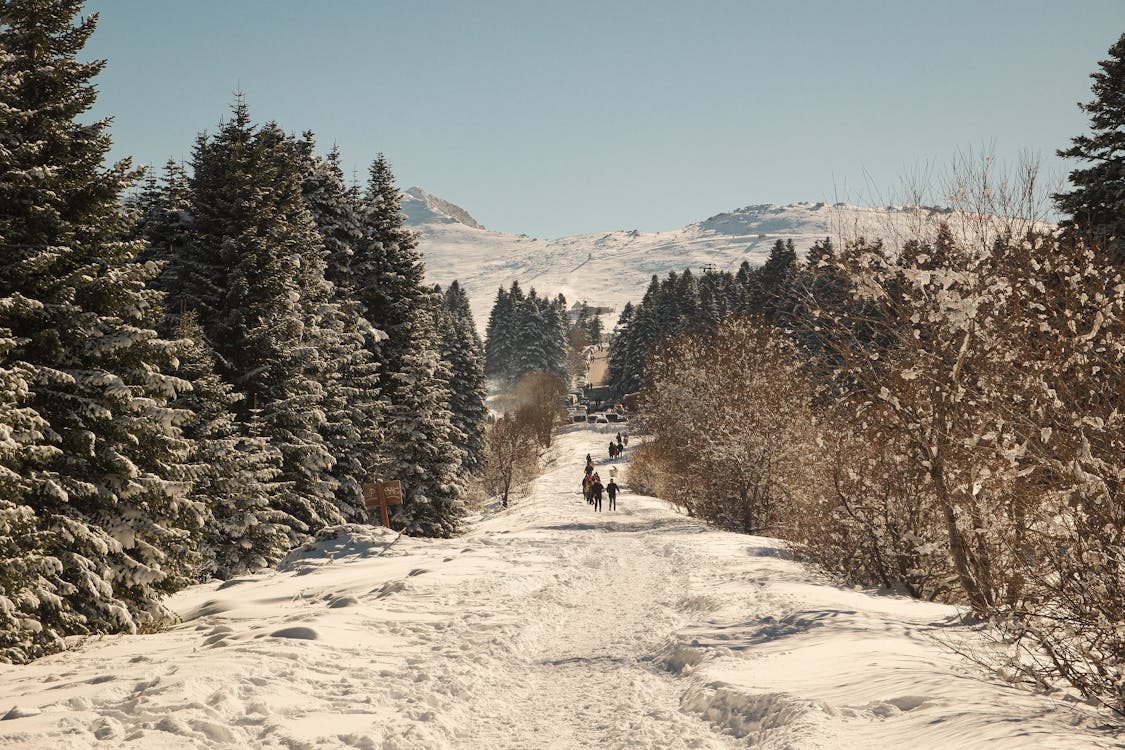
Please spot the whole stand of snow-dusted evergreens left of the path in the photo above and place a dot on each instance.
(196, 379)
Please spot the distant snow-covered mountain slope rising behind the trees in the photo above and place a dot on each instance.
(609, 269)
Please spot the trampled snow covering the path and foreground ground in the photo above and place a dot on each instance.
(547, 626)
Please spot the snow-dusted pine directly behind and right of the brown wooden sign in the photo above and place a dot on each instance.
(422, 440)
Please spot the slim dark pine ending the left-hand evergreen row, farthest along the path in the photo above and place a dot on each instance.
(461, 348)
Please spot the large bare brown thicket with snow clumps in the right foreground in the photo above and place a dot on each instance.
(983, 363)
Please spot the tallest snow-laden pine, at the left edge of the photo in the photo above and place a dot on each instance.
(113, 518)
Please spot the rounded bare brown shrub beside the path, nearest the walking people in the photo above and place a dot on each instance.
(732, 427)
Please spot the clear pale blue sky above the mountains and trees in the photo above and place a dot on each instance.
(565, 118)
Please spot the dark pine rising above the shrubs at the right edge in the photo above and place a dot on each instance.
(1096, 206)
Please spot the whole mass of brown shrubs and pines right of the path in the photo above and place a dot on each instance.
(943, 418)
